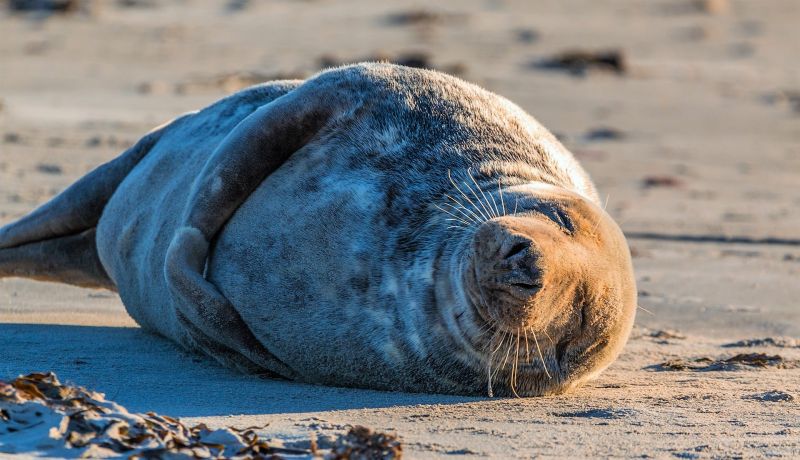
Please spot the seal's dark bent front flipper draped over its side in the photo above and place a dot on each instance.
(250, 153)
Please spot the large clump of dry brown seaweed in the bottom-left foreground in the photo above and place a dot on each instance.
(40, 415)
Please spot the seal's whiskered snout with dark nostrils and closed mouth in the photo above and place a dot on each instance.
(508, 271)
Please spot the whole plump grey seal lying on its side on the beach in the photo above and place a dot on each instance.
(374, 226)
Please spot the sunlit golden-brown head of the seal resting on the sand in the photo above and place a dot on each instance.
(553, 284)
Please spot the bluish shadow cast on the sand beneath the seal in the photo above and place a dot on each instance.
(144, 372)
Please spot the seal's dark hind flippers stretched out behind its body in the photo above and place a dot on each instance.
(56, 242)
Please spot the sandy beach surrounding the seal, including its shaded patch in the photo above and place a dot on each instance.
(692, 132)
